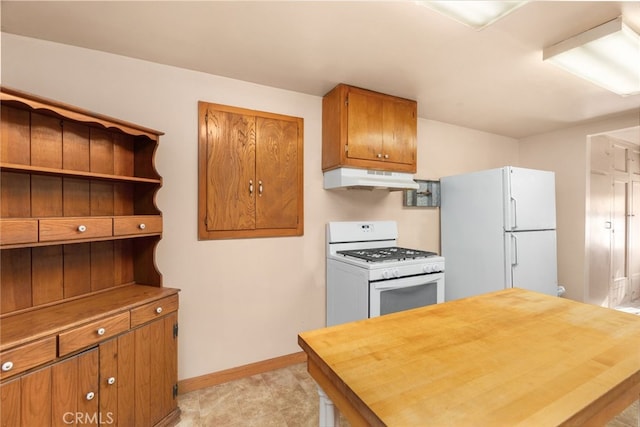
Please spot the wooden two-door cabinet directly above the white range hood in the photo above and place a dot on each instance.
(369, 130)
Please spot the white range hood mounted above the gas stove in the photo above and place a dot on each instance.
(353, 178)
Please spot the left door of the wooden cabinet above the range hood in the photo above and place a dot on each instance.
(364, 126)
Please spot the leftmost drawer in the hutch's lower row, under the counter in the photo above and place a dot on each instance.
(27, 356)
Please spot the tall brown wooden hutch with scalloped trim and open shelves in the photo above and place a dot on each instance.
(88, 334)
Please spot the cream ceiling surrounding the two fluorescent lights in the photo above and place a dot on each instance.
(493, 79)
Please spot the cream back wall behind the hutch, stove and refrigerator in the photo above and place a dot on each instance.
(242, 301)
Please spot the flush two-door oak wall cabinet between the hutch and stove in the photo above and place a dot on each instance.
(250, 173)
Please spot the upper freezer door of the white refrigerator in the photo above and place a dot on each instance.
(530, 199)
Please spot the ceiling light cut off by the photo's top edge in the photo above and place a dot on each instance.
(476, 14)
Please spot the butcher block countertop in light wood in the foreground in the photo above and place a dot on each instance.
(507, 358)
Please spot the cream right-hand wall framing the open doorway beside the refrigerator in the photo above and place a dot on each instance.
(566, 152)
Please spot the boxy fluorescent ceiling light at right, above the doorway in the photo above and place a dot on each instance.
(607, 55)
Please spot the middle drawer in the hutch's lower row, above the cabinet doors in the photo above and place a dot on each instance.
(92, 333)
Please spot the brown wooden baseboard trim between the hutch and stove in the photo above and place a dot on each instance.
(215, 378)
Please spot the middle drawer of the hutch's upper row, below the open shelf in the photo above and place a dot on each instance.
(75, 228)
